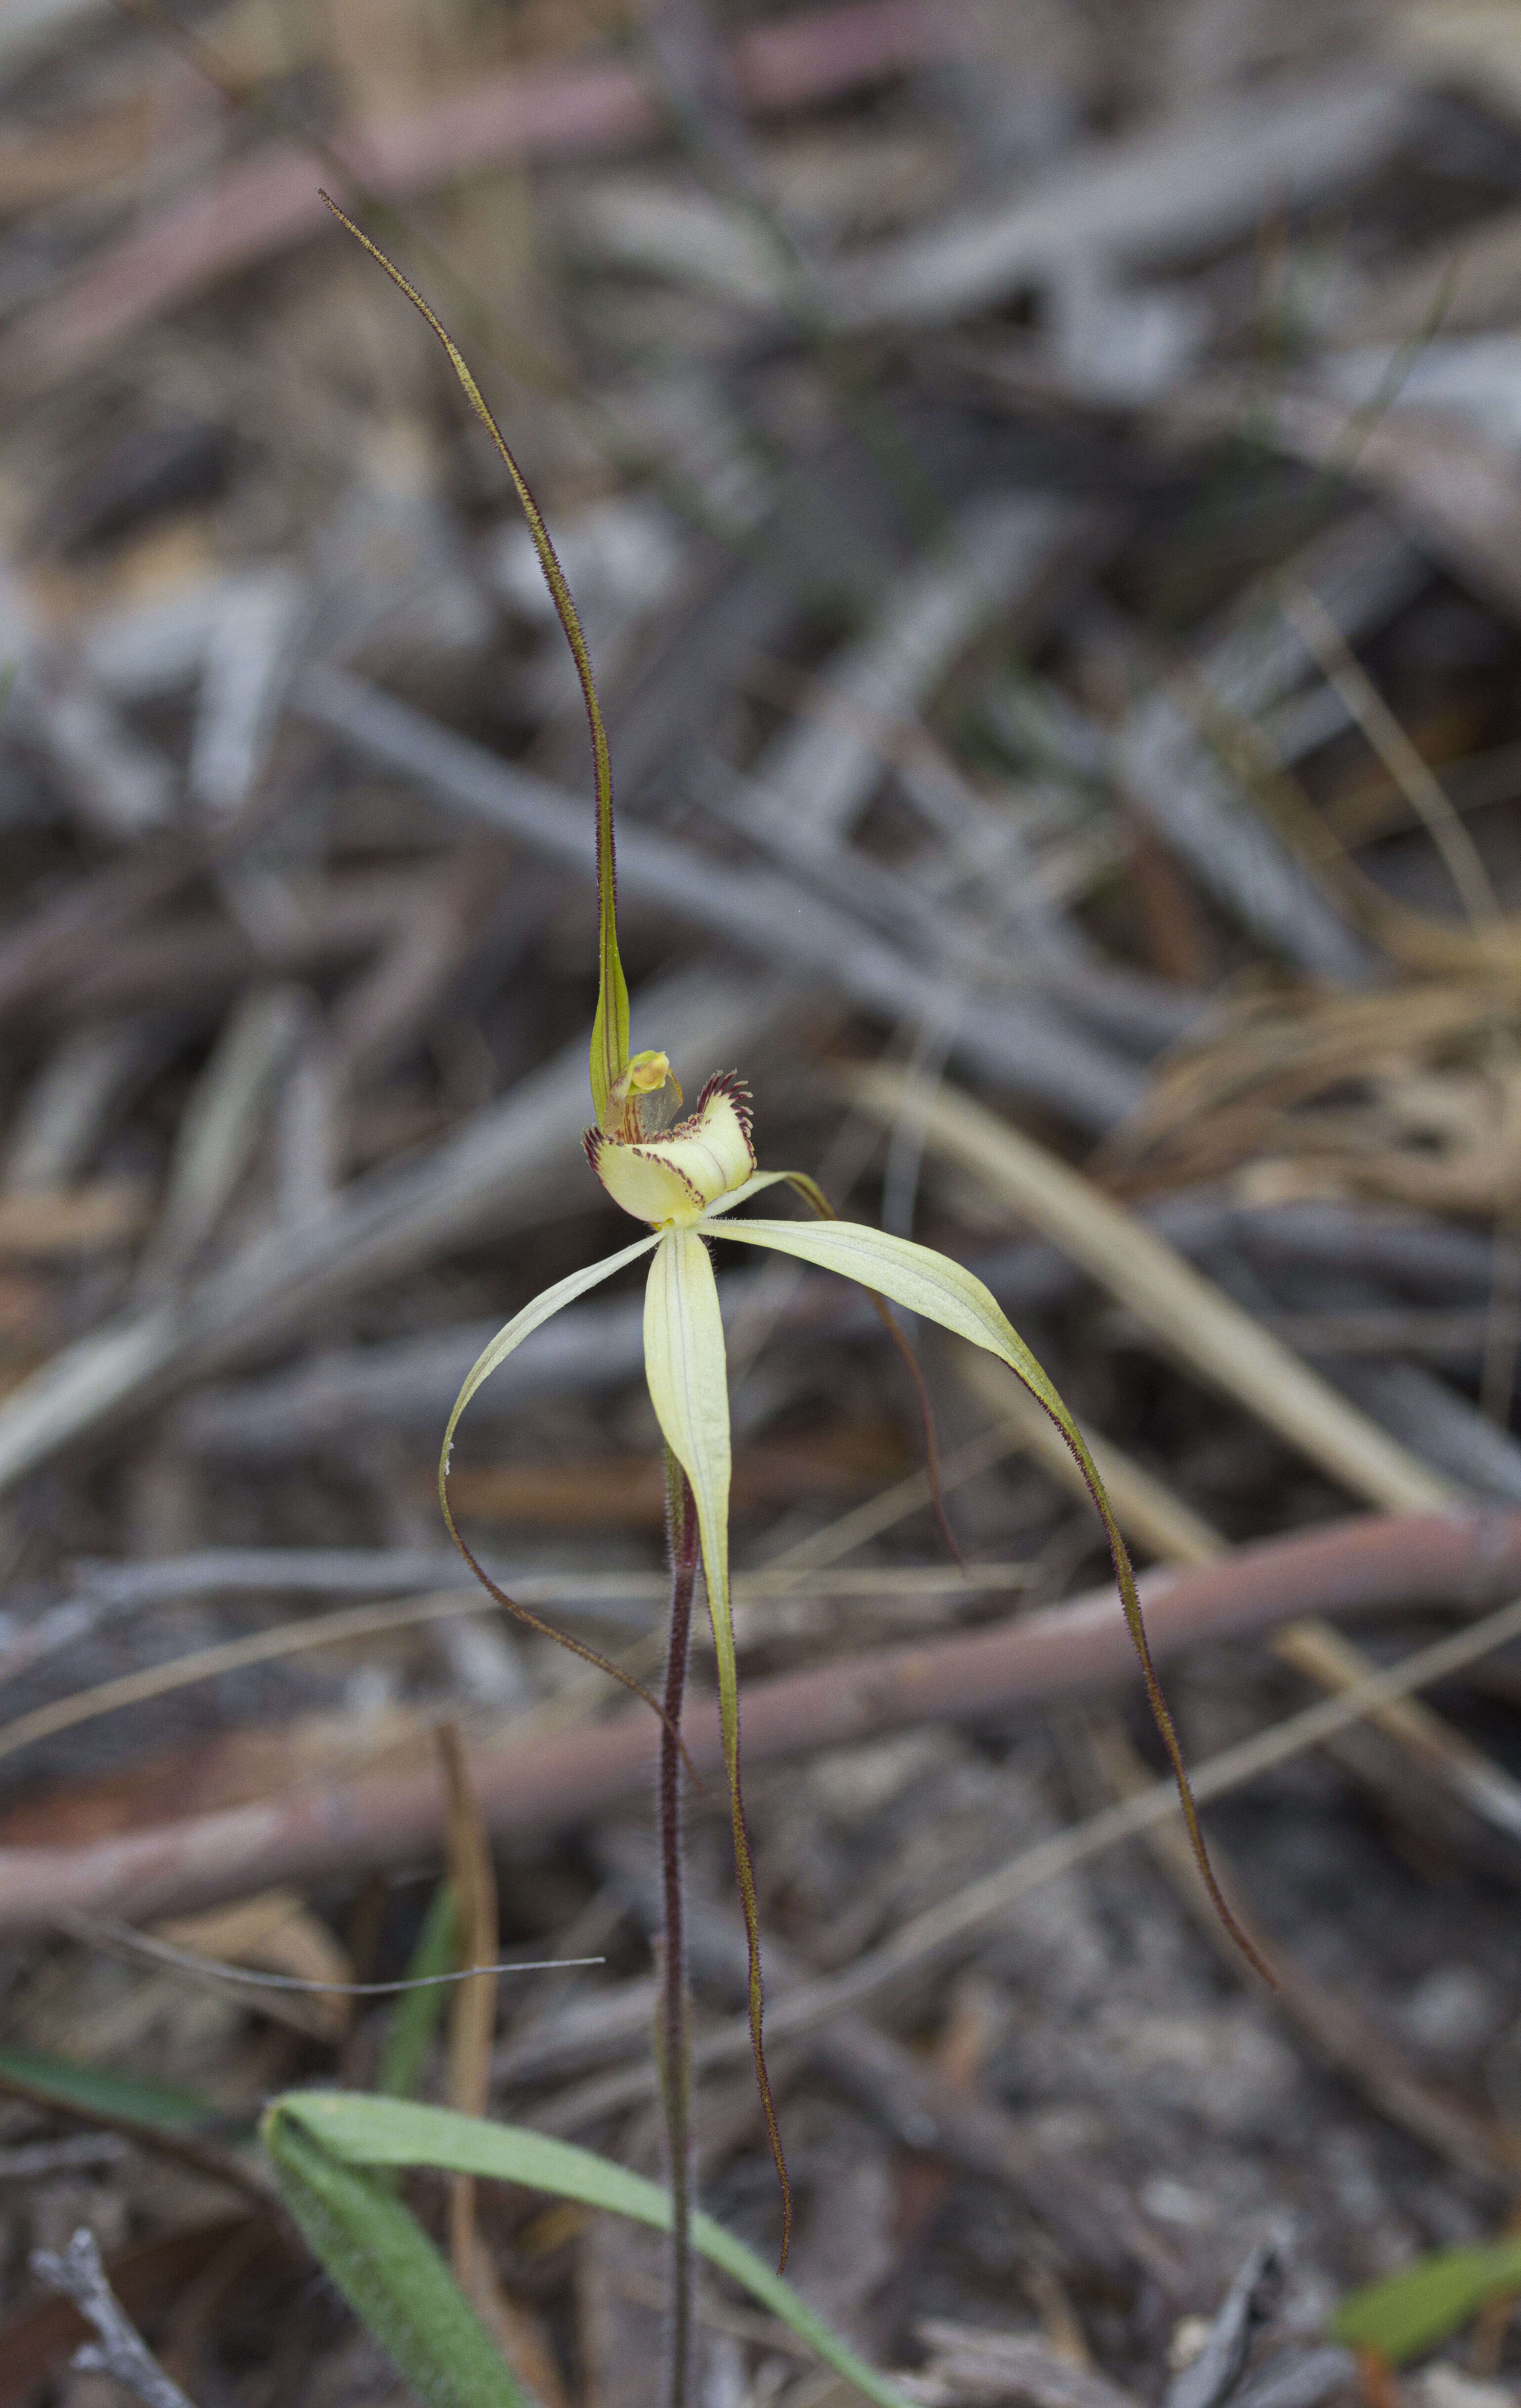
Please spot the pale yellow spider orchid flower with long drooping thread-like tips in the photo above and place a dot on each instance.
(687, 1184)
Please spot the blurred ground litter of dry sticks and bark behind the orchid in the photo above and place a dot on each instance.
(1041, 483)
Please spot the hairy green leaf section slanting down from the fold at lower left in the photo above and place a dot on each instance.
(389, 2272)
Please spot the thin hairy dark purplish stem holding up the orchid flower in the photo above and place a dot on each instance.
(673, 2034)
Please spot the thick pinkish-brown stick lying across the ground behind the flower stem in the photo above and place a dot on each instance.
(557, 1783)
